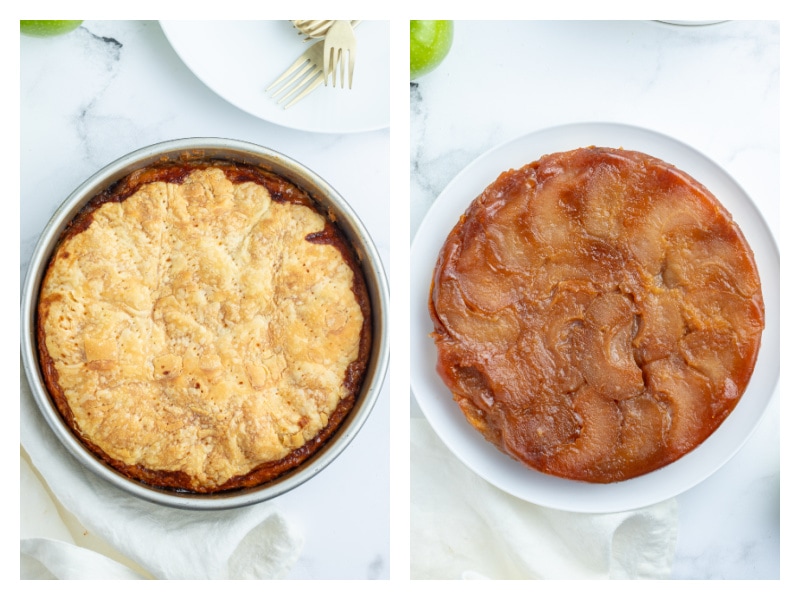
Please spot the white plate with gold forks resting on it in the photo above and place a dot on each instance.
(239, 59)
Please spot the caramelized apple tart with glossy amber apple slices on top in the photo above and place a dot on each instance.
(597, 314)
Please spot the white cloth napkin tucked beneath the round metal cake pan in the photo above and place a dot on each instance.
(254, 542)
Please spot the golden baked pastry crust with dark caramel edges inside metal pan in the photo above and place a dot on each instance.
(202, 327)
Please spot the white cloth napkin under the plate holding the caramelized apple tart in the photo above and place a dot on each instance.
(465, 528)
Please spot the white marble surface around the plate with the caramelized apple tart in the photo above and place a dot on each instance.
(714, 87)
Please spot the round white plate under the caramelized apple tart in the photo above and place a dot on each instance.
(511, 476)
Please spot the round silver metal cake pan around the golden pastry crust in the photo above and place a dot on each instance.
(328, 200)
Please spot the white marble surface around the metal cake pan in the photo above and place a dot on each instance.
(108, 88)
